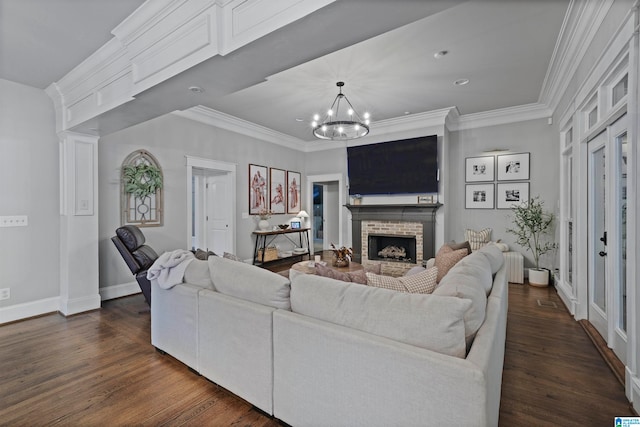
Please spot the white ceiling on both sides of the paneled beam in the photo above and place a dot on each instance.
(382, 49)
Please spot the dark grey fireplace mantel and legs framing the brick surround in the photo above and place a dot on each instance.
(422, 213)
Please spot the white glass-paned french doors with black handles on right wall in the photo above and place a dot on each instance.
(607, 235)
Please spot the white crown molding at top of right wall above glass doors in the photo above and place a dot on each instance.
(581, 23)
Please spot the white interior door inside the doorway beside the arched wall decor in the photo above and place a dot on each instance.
(217, 216)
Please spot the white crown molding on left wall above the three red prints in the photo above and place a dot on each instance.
(231, 123)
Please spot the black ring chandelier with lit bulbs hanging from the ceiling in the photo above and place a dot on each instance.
(341, 122)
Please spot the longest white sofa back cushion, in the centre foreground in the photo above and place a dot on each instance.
(428, 321)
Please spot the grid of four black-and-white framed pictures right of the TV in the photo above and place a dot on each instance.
(496, 182)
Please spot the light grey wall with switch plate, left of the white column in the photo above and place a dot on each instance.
(29, 256)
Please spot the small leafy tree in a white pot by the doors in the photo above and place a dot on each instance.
(531, 225)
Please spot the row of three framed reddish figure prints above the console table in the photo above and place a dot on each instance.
(273, 191)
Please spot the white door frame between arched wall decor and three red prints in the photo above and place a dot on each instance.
(214, 165)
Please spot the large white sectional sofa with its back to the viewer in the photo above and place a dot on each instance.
(317, 351)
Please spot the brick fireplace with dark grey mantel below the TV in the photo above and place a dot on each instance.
(410, 228)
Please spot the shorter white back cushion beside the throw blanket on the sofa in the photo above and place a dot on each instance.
(249, 282)
